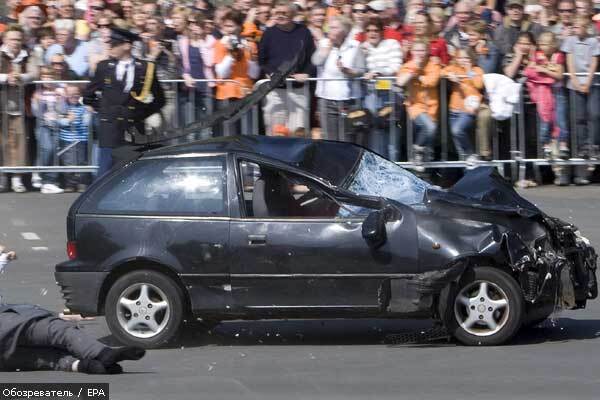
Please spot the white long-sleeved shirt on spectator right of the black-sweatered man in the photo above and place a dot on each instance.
(351, 56)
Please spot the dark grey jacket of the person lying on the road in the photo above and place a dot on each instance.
(14, 318)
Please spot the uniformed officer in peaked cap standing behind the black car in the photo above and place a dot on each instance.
(124, 91)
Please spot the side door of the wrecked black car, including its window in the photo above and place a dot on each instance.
(314, 259)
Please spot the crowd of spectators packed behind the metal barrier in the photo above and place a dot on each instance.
(550, 46)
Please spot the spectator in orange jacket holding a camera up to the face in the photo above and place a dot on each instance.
(236, 59)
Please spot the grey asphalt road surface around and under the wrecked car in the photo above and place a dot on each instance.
(331, 359)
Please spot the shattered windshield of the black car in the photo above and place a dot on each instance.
(376, 176)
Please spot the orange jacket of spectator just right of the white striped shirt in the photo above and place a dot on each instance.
(423, 95)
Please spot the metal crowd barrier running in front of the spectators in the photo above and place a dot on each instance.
(183, 108)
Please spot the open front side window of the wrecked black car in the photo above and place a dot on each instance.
(273, 193)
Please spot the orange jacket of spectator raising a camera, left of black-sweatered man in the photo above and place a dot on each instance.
(239, 73)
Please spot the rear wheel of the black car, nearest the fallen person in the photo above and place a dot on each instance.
(144, 308)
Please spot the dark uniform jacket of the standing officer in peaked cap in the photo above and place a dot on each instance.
(119, 111)
